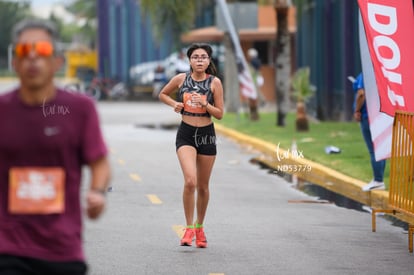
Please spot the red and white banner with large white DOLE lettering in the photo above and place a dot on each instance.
(387, 53)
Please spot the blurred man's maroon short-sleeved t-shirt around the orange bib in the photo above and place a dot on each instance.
(63, 132)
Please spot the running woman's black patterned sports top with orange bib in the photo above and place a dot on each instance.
(201, 87)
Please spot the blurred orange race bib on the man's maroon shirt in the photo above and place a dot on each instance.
(36, 190)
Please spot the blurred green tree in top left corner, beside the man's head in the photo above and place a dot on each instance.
(10, 14)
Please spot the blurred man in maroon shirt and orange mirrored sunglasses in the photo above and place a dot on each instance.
(46, 136)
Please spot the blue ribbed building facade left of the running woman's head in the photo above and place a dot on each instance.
(125, 38)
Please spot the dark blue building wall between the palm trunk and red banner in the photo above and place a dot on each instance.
(327, 42)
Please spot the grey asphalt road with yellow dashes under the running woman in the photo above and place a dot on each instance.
(256, 223)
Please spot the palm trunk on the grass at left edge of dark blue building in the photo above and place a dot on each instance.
(283, 60)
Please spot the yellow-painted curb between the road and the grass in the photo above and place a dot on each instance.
(320, 175)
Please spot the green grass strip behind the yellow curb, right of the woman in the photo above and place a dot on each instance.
(353, 160)
